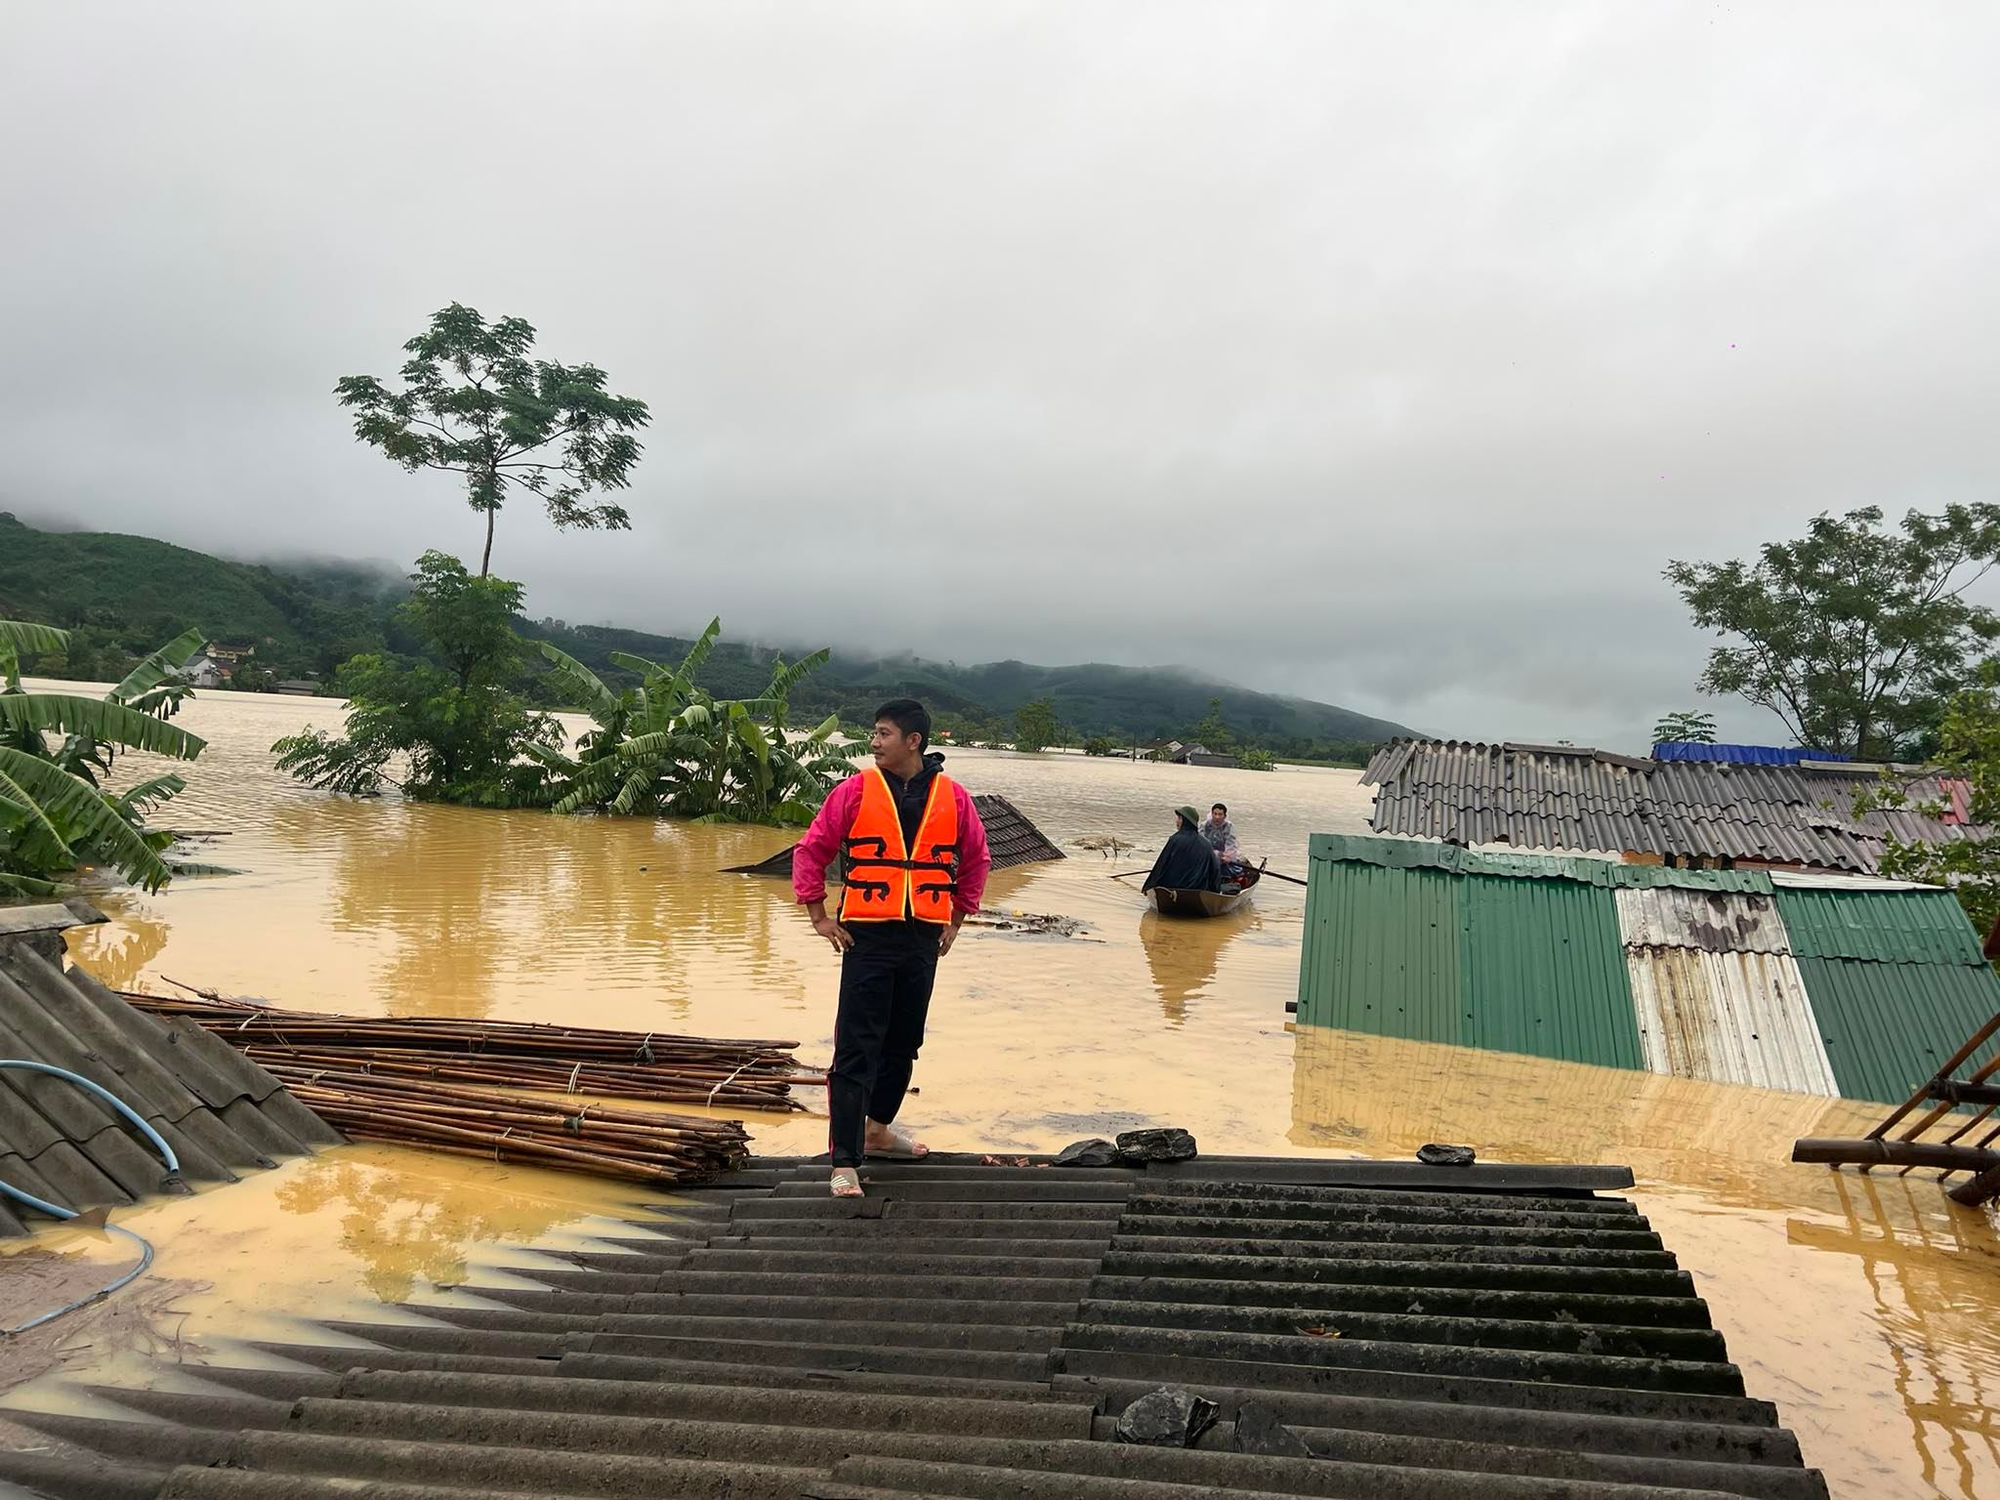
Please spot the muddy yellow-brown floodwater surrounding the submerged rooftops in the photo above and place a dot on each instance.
(1867, 1307)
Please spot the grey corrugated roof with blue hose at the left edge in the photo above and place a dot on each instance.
(219, 1111)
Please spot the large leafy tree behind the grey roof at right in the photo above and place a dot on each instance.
(1853, 635)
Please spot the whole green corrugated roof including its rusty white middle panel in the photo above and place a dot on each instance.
(1723, 975)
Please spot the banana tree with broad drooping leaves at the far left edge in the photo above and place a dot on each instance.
(53, 817)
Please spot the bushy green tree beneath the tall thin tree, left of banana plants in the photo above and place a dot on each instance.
(463, 735)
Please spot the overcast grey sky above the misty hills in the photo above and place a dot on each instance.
(1377, 353)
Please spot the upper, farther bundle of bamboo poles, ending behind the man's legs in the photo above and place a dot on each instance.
(741, 1075)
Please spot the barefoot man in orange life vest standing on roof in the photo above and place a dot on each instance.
(915, 867)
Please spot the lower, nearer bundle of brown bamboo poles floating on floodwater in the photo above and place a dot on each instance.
(489, 1123)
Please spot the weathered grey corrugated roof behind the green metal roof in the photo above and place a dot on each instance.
(1571, 799)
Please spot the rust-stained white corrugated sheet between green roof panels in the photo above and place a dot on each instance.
(1731, 1019)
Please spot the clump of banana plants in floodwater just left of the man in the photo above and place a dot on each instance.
(671, 747)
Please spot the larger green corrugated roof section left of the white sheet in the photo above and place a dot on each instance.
(1477, 961)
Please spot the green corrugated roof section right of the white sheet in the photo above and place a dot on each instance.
(1891, 1027)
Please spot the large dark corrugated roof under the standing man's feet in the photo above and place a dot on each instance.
(975, 1333)
